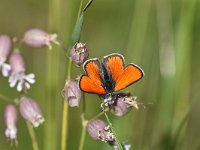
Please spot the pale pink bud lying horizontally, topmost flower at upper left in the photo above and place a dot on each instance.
(38, 38)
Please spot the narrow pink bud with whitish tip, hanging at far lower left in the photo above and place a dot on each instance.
(10, 117)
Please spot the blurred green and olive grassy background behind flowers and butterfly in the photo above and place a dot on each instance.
(161, 36)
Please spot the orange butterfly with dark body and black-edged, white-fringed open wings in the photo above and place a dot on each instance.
(108, 76)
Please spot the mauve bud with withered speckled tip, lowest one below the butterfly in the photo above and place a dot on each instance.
(99, 130)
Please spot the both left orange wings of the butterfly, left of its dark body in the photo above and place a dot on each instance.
(91, 82)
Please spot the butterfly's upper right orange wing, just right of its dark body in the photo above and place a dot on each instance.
(114, 63)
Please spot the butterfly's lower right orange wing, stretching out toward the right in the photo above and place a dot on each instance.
(131, 74)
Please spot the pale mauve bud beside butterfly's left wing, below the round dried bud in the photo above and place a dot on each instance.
(72, 93)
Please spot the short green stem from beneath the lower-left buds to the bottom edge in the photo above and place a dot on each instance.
(32, 136)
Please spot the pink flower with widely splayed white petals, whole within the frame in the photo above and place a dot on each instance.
(18, 75)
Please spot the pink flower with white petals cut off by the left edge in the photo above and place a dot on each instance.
(5, 45)
